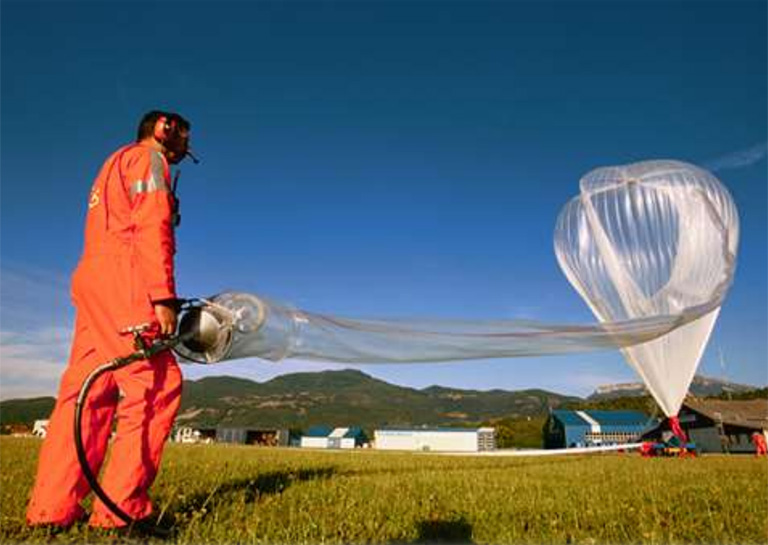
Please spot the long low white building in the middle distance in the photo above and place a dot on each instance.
(436, 439)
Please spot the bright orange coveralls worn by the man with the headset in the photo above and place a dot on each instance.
(127, 263)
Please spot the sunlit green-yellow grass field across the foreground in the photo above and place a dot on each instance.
(234, 494)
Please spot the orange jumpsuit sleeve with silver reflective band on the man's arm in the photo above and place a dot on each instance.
(152, 217)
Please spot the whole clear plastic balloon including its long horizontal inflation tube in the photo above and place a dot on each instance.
(651, 247)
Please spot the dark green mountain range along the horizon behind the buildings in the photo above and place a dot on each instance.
(353, 398)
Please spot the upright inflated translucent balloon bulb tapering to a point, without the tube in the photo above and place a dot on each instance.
(653, 239)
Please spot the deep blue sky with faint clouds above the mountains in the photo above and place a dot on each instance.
(374, 158)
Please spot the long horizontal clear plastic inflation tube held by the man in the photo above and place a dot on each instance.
(233, 325)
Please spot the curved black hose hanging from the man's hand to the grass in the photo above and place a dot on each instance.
(140, 354)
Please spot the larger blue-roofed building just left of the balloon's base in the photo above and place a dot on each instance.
(565, 429)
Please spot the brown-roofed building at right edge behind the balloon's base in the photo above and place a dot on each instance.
(718, 425)
